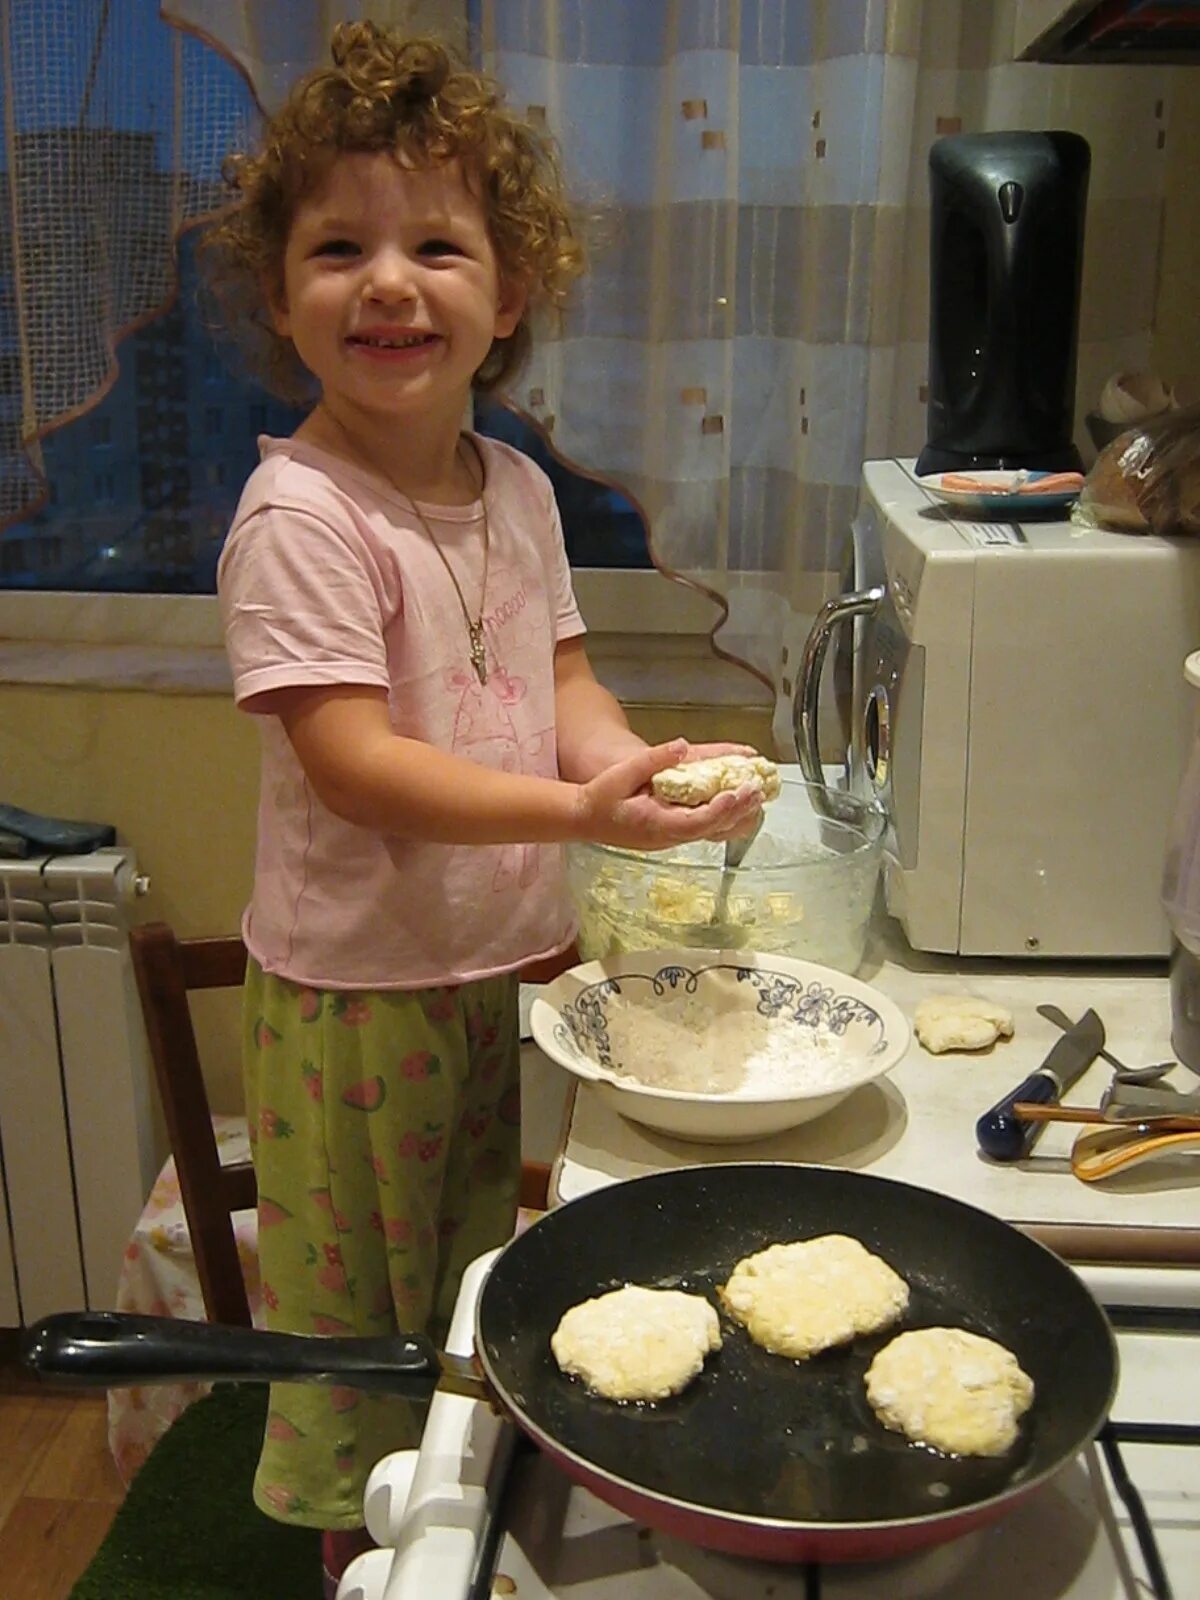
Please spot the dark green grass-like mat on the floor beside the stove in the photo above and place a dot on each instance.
(191, 1532)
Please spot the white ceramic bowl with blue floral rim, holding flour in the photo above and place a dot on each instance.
(860, 1034)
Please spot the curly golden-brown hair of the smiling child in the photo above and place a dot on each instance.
(410, 97)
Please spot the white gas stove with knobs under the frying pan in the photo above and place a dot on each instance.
(478, 1513)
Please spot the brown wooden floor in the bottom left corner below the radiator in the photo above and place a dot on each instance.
(58, 1486)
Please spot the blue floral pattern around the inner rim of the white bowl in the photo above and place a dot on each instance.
(583, 1023)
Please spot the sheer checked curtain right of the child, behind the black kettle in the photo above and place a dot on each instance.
(756, 322)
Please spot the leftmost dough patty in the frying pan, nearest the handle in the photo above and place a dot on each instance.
(638, 1343)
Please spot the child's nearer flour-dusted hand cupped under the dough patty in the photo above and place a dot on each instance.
(617, 807)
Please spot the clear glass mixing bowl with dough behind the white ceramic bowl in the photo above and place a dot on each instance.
(807, 887)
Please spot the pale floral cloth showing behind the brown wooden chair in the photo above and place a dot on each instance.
(159, 1279)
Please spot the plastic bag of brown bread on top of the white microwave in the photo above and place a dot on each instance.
(1148, 479)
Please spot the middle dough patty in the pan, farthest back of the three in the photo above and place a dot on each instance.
(809, 1297)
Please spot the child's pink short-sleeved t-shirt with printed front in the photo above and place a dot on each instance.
(329, 578)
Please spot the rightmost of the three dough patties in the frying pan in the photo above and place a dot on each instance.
(951, 1390)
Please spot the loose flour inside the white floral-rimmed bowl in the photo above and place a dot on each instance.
(682, 1044)
